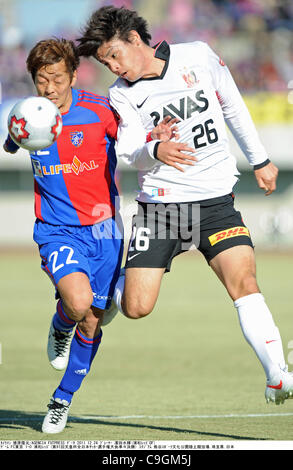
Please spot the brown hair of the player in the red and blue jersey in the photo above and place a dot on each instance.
(51, 51)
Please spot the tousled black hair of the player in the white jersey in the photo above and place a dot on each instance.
(108, 22)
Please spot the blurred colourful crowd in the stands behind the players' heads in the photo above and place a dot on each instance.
(254, 54)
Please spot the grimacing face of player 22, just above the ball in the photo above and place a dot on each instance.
(53, 81)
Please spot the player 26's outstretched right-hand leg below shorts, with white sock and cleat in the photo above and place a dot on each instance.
(235, 267)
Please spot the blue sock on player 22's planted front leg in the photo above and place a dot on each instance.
(82, 353)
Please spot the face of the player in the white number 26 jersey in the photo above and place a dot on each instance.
(125, 59)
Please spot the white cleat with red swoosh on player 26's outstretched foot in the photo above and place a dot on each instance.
(279, 388)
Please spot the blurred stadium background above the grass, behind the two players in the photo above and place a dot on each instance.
(254, 37)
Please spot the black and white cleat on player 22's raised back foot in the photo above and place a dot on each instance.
(58, 347)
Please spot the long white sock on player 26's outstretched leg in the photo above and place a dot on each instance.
(260, 332)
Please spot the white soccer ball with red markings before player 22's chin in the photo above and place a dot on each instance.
(34, 123)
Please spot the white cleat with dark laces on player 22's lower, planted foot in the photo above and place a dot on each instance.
(56, 418)
